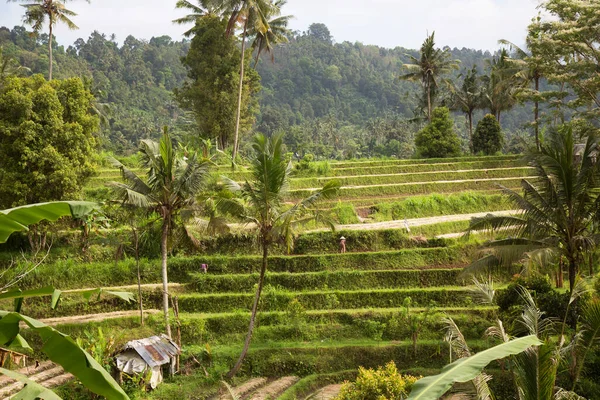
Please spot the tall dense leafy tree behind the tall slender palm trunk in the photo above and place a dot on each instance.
(213, 65)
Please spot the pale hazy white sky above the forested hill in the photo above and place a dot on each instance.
(389, 23)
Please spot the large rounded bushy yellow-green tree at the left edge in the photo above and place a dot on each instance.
(46, 139)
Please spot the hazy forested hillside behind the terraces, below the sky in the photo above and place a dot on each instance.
(348, 95)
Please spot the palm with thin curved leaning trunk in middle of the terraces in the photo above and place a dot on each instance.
(261, 201)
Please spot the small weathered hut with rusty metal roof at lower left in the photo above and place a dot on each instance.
(149, 354)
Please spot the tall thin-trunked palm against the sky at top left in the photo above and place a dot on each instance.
(36, 12)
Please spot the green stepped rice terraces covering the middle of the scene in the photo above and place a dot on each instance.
(323, 314)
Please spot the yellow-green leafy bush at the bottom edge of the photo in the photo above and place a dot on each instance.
(385, 383)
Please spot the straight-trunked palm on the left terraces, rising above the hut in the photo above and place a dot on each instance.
(171, 186)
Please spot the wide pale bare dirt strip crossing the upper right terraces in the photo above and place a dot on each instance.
(401, 224)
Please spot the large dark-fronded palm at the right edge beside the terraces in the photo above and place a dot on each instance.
(558, 209)
